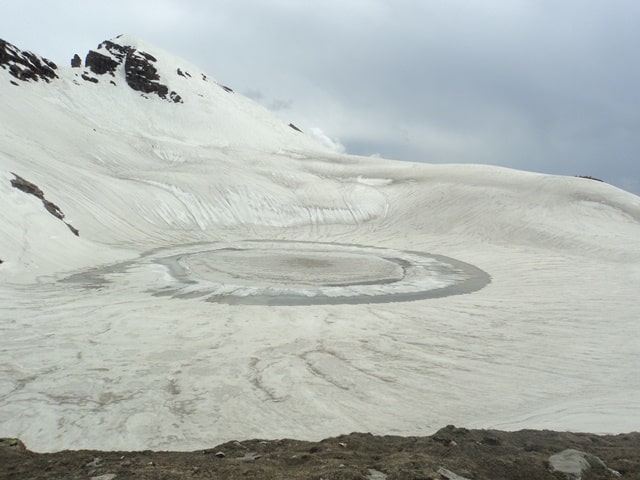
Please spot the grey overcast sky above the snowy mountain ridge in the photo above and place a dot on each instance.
(550, 86)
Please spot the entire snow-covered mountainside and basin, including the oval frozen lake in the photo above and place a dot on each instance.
(233, 278)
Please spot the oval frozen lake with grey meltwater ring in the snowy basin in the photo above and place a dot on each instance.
(297, 273)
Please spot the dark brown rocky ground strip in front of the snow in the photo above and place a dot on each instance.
(450, 454)
